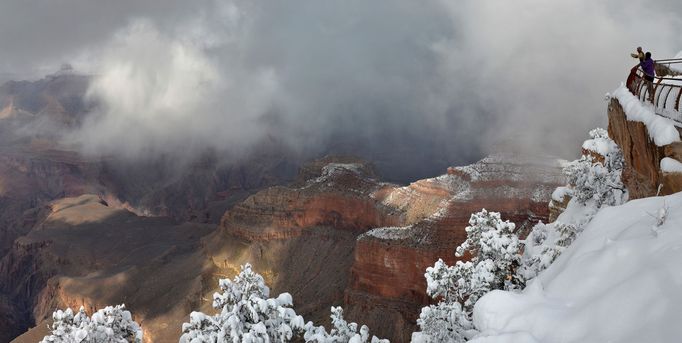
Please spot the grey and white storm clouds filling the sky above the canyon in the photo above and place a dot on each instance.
(452, 78)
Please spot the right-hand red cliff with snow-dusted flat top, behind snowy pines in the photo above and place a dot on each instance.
(390, 263)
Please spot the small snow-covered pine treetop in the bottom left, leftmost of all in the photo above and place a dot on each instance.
(112, 324)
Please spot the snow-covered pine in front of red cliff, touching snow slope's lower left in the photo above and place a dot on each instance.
(494, 249)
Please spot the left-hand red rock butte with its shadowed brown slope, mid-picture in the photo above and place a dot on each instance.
(302, 237)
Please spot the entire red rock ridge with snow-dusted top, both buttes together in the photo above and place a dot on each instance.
(384, 235)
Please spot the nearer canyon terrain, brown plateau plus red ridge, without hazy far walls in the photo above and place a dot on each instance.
(335, 236)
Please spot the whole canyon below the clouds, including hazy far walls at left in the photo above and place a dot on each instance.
(88, 231)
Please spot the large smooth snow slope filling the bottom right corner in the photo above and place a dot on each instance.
(618, 282)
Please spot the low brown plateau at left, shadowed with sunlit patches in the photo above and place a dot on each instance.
(85, 253)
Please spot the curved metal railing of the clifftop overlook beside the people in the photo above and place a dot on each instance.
(667, 87)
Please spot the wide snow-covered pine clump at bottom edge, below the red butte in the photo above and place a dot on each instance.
(248, 315)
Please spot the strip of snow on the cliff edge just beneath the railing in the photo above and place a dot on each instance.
(661, 129)
